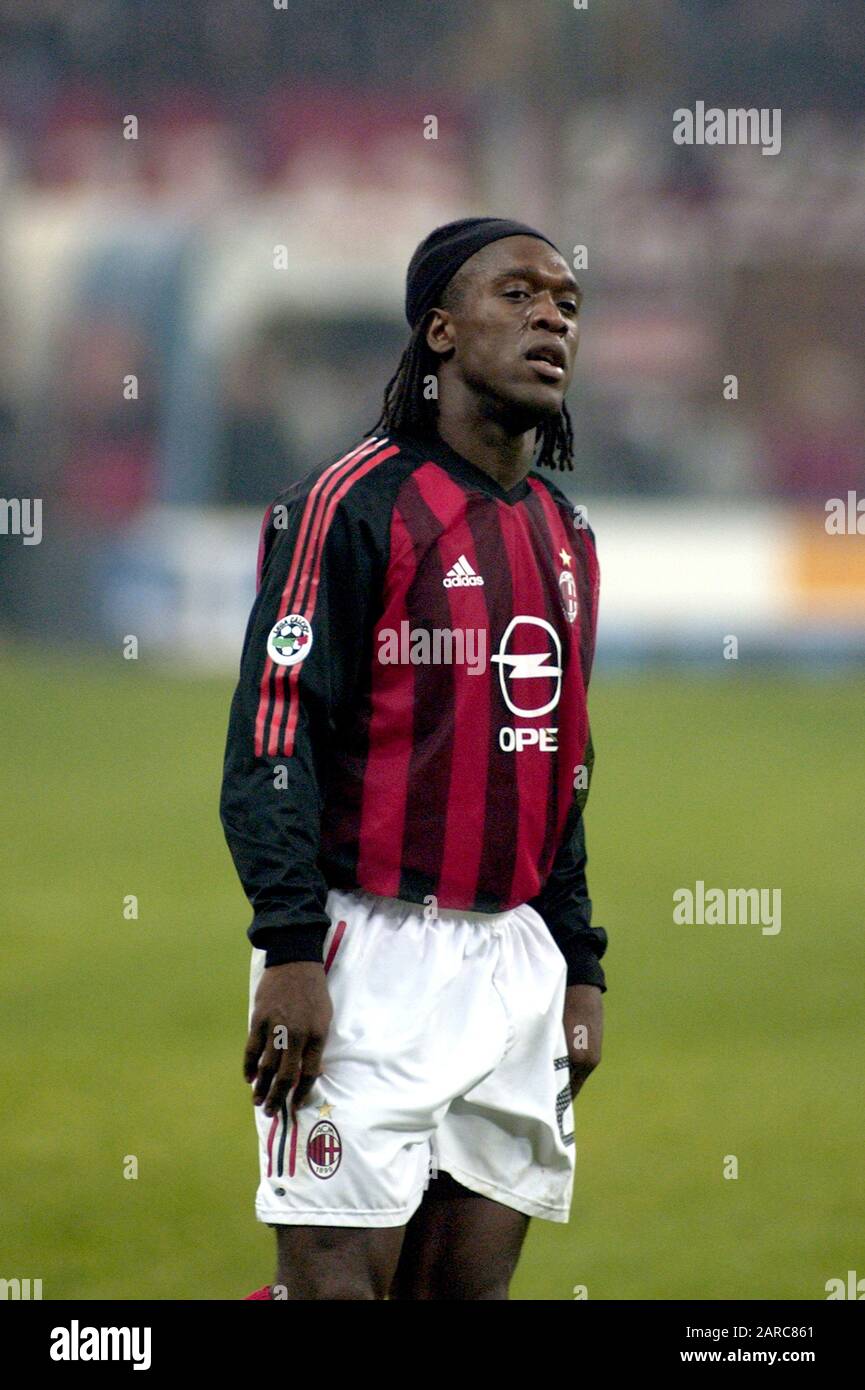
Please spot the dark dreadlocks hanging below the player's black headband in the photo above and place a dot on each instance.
(408, 407)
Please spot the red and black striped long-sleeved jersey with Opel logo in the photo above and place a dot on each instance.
(411, 717)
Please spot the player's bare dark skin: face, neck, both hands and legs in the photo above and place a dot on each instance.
(512, 298)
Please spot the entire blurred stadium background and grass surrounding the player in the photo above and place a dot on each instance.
(154, 259)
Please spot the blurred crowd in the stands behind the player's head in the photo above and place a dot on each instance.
(154, 155)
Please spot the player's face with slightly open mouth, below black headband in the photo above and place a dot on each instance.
(515, 329)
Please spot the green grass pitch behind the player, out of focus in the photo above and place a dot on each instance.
(124, 1038)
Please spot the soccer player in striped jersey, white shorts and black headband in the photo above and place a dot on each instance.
(407, 768)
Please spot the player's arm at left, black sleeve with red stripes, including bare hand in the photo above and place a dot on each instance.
(296, 686)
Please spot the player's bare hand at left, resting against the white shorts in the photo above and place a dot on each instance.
(291, 1020)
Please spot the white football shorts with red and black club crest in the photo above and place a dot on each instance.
(447, 1053)
